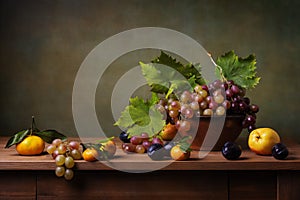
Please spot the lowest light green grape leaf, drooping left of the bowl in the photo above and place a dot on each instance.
(141, 116)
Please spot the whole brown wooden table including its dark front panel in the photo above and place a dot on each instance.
(213, 177)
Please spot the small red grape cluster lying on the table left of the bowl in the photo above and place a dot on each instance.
(138, 144)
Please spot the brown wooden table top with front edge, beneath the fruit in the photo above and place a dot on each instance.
(11, 160)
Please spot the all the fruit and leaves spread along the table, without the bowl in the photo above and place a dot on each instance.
(161, 126)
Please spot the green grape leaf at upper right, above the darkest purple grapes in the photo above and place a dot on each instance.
(241, 70)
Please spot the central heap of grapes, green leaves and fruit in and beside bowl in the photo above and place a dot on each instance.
(177, 103)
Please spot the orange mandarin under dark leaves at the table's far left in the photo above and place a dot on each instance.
(31, 145)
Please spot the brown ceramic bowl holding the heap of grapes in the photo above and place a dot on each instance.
(232, 128)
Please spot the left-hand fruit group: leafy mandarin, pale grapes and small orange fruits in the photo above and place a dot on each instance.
(32, 141)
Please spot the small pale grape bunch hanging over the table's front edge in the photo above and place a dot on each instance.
(64, 154)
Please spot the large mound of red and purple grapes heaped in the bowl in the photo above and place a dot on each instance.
(217, 98)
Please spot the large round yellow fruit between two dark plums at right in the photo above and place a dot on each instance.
(261, 140)
